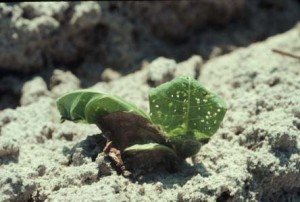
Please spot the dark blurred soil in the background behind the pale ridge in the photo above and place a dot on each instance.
(99, 40)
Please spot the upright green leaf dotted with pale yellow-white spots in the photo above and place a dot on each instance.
(186, 109)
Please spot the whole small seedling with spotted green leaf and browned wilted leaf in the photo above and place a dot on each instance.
(182, 115)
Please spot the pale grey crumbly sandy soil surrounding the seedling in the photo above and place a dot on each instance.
(254, 156)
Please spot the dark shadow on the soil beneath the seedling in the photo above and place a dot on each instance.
(94, 144)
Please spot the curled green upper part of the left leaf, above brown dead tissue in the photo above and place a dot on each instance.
(89, 106)
